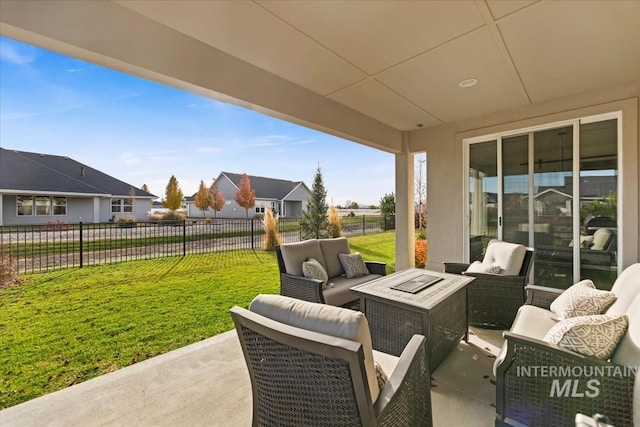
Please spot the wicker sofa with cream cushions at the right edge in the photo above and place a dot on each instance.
(532, 390)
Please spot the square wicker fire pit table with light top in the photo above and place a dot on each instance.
(439, 311)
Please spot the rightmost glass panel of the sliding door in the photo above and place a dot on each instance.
(598, 202)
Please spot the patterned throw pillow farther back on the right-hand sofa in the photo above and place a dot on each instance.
(582, 299)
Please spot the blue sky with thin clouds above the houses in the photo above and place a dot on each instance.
(142, 132)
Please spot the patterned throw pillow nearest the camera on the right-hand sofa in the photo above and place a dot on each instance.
(597, 335)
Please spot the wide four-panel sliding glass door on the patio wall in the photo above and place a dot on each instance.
(552, 189)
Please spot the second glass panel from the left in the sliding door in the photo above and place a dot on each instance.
(515, 187)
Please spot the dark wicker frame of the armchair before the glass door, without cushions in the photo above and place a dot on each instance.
(494, 299)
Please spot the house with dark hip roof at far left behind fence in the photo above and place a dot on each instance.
(39, 188)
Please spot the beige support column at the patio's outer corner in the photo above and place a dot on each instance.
(405, 207)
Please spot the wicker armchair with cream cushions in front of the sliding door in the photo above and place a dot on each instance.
(498, 291)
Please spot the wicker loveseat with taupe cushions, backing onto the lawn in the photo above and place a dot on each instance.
(336, 291)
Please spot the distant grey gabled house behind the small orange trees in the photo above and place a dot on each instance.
(286, 198)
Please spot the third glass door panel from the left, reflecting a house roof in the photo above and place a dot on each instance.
(552, 207)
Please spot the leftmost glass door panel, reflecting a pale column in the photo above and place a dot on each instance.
(483, 197)
